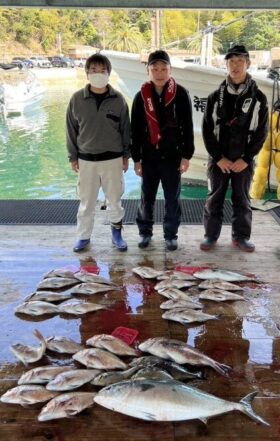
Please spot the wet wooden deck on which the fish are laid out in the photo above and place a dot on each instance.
(246, 336)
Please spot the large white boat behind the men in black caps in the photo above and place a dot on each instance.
(199, 80)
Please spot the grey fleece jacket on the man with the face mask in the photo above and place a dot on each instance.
(93, 131)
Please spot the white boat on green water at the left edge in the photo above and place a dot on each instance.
(19, 89)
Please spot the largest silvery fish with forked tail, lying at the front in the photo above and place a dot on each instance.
(169, 400)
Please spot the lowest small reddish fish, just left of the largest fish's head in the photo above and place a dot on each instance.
(66, 405)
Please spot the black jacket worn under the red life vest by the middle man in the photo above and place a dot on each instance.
(175, 123)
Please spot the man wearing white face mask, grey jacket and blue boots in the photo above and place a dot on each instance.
(98, 136)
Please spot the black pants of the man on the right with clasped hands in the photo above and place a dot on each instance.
(213, 210)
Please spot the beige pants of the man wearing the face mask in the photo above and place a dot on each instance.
(94, 175)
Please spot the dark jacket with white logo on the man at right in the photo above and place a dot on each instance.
(235, 121)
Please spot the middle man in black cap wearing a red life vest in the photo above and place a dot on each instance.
(162, 145)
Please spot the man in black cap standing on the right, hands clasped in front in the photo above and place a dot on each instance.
(234, 128)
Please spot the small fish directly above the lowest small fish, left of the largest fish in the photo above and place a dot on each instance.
(72, 379)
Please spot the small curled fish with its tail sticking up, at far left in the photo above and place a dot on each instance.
(30, 354)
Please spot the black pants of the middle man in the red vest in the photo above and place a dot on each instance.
(154, 171)
